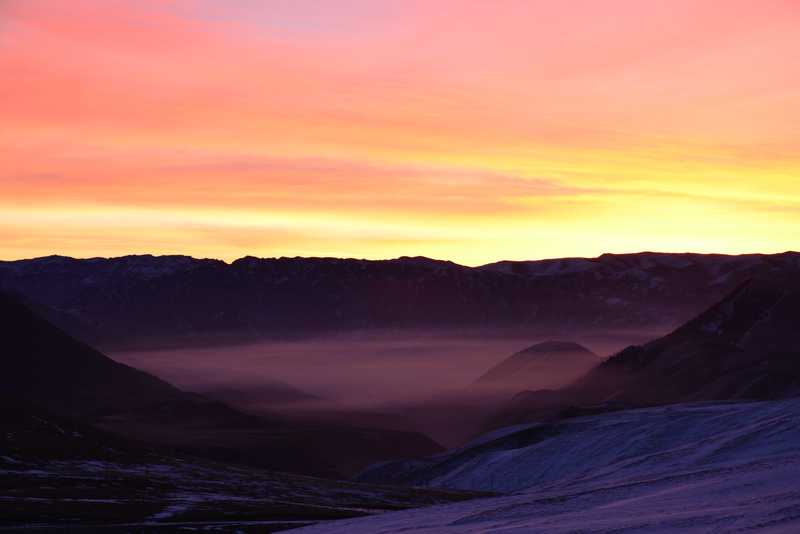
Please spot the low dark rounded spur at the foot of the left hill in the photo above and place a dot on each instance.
(216, 431)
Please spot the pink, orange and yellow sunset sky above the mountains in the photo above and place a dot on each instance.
(464, 130)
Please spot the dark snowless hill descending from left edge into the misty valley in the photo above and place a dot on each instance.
(42, 364)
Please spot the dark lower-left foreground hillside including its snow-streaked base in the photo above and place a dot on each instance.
(60, 471)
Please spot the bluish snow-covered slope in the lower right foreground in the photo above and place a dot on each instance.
(704, 467)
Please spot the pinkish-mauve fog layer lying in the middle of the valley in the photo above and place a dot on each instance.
(370, 371)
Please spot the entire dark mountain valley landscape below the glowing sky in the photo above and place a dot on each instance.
(545, 395)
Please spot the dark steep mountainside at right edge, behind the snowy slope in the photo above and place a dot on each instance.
(743, 347)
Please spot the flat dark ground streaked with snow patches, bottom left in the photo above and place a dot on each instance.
(162, 494)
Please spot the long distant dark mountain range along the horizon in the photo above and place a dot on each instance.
(176, 295)
